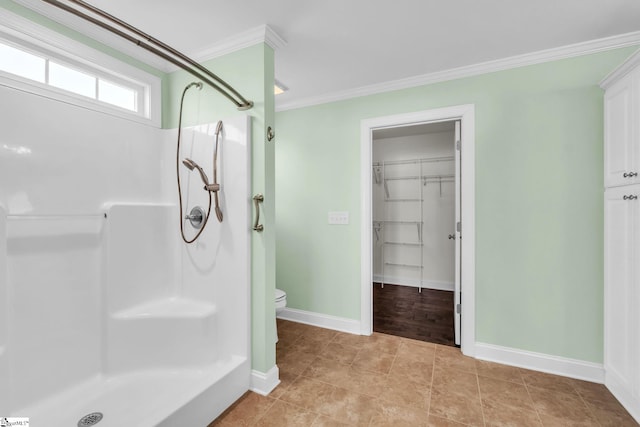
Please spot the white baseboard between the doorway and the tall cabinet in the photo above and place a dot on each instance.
(557, 365)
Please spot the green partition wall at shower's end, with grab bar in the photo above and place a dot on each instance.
(250, 71)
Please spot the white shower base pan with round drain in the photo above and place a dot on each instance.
(164, 398)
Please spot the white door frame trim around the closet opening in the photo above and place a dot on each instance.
(464, 306)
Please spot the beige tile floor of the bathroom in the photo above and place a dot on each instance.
(331, 378)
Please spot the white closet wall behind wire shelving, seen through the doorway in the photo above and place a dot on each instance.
(437, 214)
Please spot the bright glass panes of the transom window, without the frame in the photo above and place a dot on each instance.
(78, 79)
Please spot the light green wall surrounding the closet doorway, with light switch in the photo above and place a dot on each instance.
(539, 201)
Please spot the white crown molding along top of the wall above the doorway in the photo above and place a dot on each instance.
(542, 56)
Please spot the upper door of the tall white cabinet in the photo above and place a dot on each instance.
(620, 135)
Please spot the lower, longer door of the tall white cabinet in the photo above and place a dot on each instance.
(622, 247)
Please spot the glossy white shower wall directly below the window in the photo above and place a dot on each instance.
(59, 165)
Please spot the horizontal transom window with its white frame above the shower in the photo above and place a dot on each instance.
(38, 60)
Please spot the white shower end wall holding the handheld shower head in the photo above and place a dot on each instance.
(215, 268)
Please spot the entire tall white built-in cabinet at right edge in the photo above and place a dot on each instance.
(622, 234)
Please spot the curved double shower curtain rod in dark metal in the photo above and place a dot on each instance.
(178, 58)
